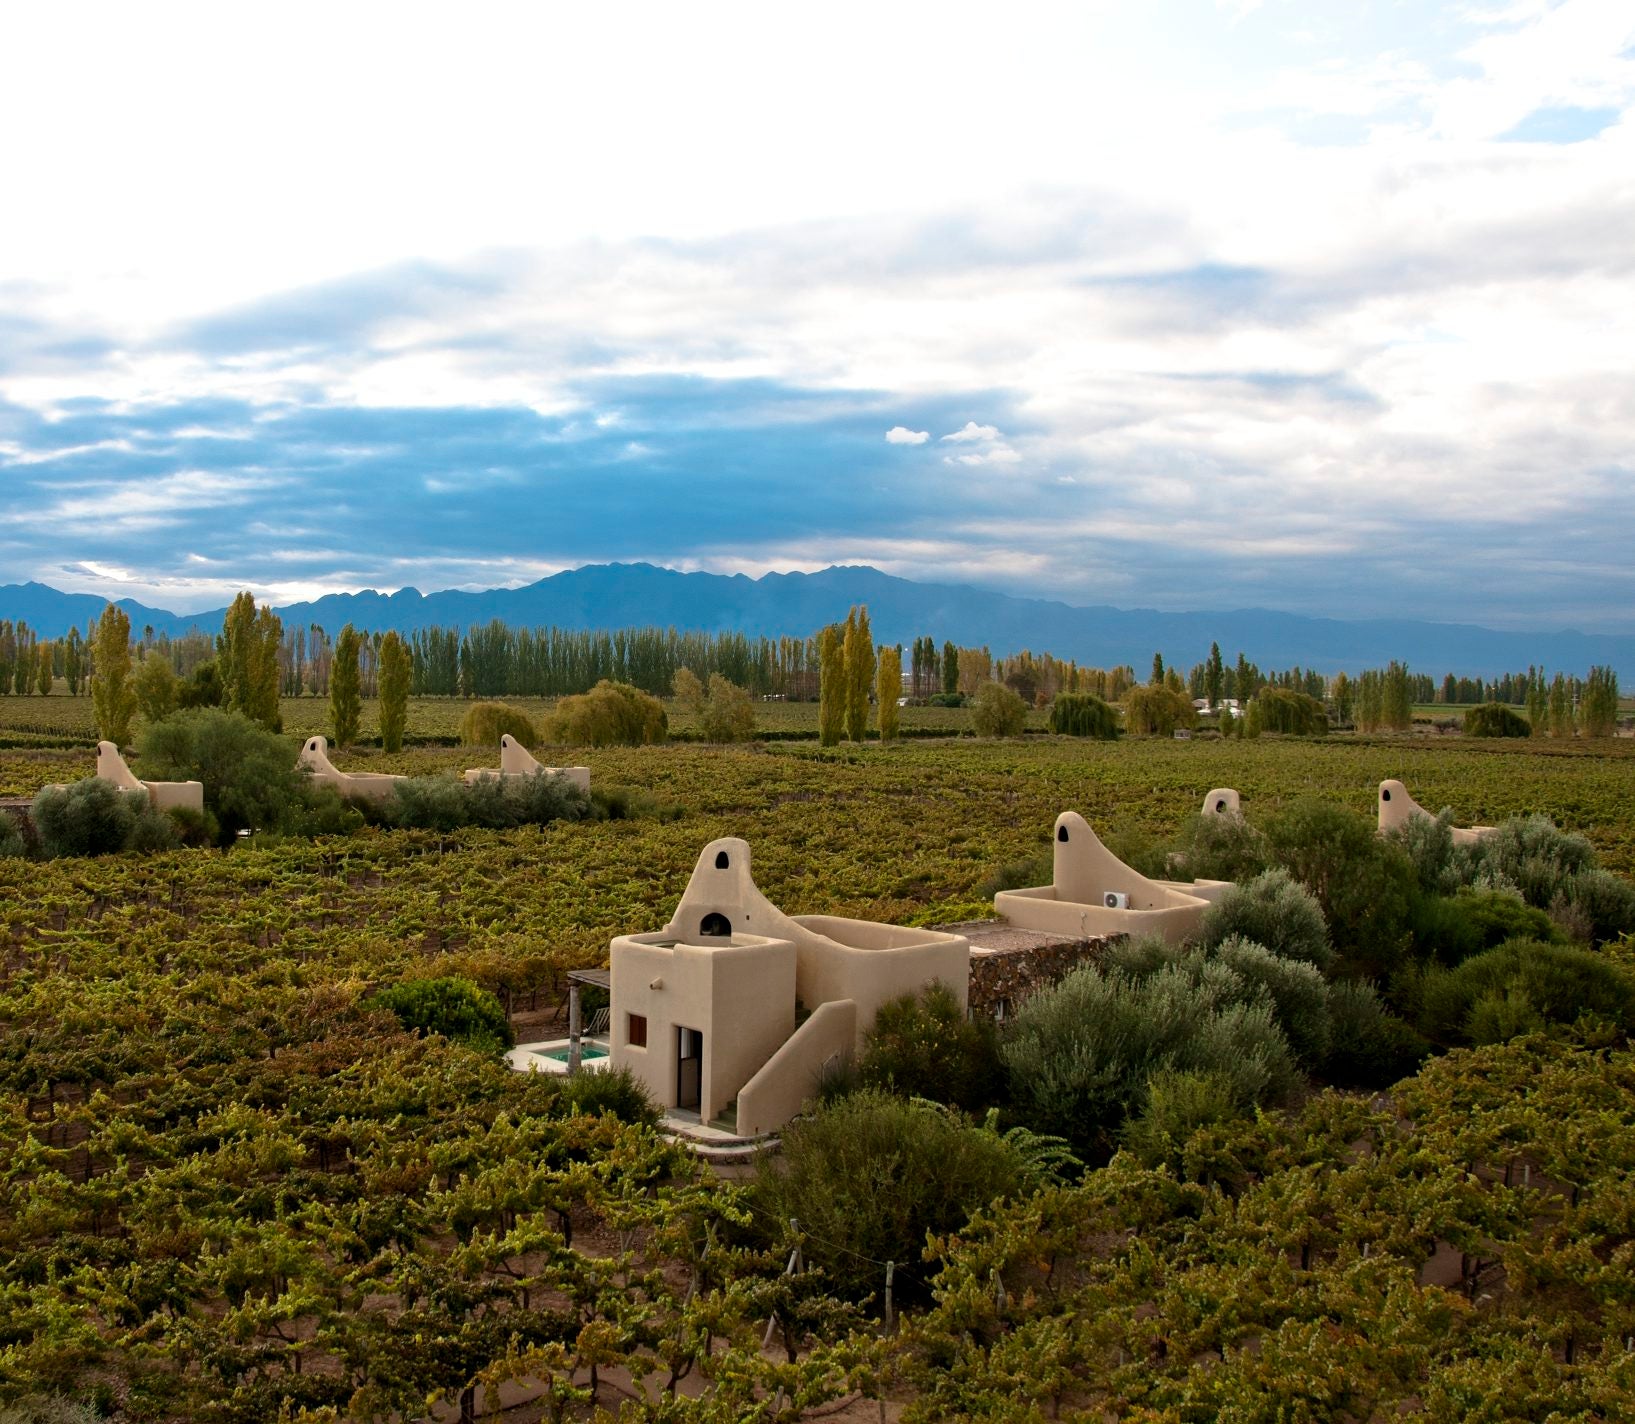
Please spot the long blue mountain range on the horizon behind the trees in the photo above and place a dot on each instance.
(625, 596)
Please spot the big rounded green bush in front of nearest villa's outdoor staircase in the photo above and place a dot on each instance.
(871, 1175)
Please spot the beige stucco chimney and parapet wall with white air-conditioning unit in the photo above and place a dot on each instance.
(1083, 874)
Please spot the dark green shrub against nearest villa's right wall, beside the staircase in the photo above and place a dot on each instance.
(926, 1047)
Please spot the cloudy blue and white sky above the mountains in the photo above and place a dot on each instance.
(1173, 305)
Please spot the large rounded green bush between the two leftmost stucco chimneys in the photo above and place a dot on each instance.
(248, 772)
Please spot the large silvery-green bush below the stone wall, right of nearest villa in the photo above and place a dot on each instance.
(1083, 1050)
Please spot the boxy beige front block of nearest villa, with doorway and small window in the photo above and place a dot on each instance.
(740, 995)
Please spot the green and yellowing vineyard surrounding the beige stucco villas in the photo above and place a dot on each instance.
(231, 1189)
